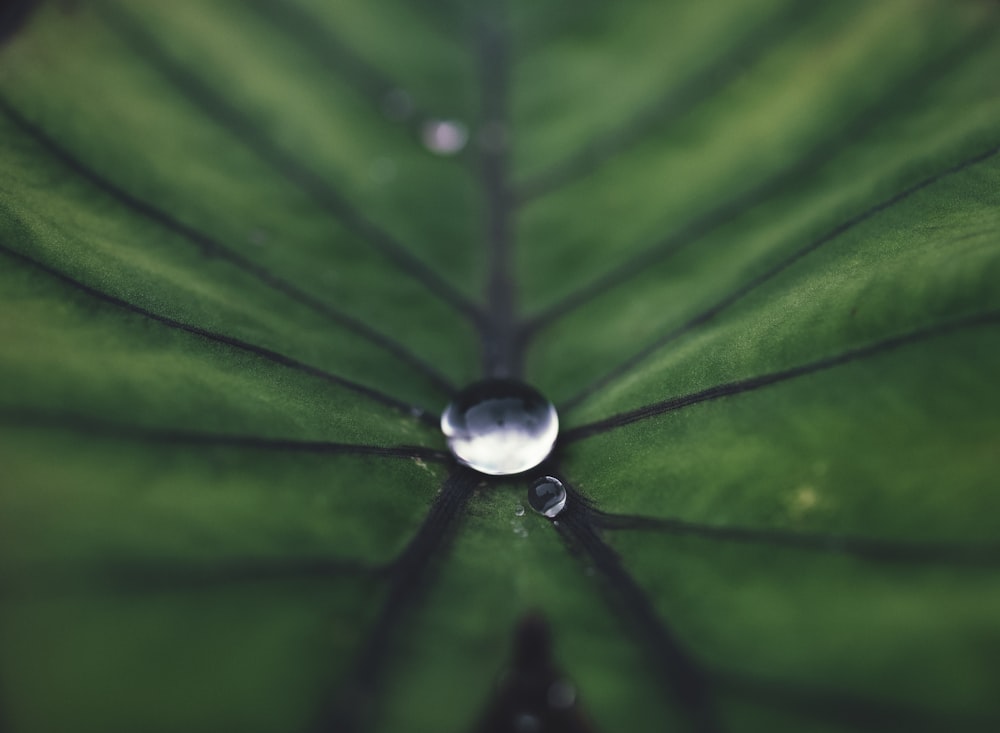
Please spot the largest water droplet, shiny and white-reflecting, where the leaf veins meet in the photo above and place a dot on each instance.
(500, 427)
